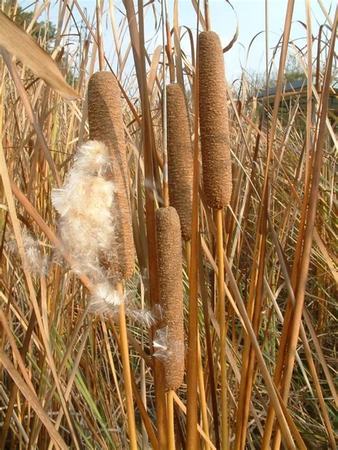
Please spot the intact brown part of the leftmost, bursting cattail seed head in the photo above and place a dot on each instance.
(106, 125)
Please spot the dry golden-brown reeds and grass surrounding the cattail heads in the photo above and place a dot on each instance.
(62, 370)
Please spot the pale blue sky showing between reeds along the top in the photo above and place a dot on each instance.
(248, 14)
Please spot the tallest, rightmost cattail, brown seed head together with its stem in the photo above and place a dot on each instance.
(217, 181)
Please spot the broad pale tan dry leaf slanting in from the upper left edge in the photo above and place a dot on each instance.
(20, 44)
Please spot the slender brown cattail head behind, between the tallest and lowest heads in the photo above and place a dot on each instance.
(180, 162)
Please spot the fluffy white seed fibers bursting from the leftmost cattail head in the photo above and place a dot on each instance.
(86, 207)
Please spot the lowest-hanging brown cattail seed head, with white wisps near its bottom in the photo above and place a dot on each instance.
(169, 250)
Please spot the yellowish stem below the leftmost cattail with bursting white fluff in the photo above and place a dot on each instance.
(126, 373)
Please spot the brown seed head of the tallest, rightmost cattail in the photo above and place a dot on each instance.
(214, 125)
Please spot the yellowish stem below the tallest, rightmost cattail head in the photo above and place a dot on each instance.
(221, 319)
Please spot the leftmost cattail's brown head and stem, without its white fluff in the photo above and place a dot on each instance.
(106, 125)
